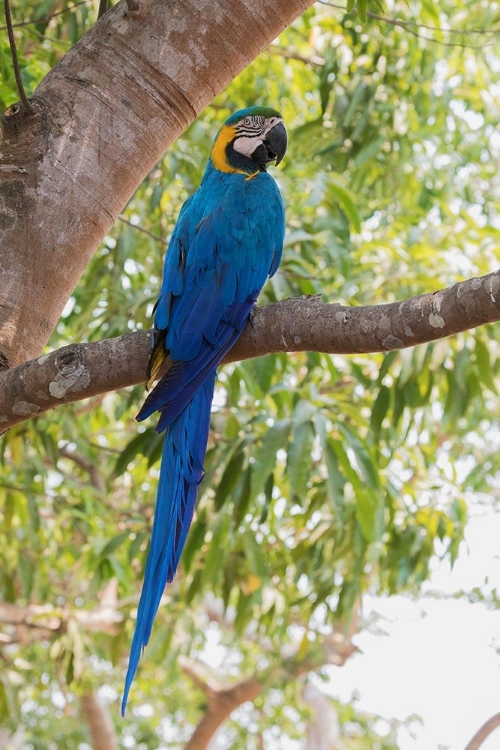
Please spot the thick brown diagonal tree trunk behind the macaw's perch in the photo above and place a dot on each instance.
(103, 117)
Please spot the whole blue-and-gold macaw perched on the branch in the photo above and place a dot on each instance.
(228, 239)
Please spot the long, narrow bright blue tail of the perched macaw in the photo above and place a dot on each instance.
(181, 472)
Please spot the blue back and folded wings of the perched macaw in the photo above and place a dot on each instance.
(227, 241)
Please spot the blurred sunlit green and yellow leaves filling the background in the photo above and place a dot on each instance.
(326, 476)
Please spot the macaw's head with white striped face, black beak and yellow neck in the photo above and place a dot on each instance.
(249, 140)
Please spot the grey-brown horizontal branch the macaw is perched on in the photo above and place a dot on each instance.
(79, 371)
